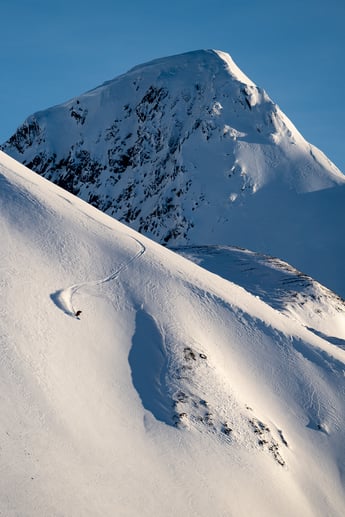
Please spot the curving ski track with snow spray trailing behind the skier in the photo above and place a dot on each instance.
(63, 298)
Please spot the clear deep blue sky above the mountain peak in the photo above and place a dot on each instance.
(54, 50)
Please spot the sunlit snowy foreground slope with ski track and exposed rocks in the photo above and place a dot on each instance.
(175, 393)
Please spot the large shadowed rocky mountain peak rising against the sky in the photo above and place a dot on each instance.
(188, 150)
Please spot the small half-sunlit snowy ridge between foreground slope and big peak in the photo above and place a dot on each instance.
(278, 284)
